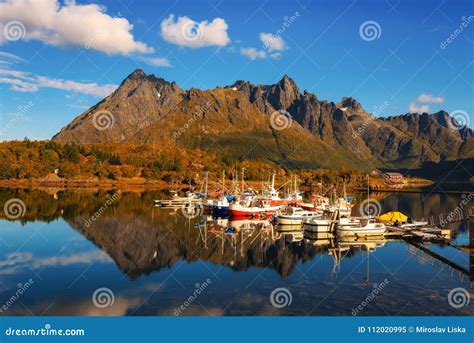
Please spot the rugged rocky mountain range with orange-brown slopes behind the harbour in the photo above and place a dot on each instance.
(276, 123)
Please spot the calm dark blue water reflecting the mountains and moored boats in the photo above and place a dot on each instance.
(157, 262)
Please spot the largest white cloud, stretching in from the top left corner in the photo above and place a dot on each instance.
(71, 24)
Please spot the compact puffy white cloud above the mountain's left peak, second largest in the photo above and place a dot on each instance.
(189, 33)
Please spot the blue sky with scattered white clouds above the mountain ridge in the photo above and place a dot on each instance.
(57, 63)
